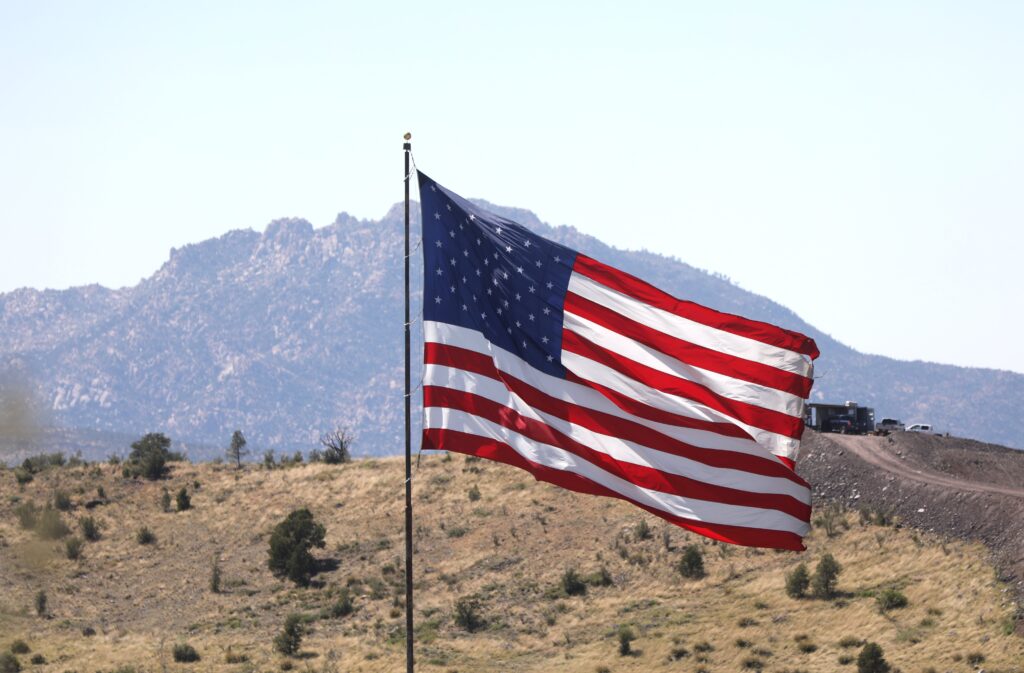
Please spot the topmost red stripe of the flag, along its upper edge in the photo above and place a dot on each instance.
(634, 287)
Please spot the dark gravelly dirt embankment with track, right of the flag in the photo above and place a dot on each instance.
(956, 487)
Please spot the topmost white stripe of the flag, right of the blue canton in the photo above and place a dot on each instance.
(682, 328)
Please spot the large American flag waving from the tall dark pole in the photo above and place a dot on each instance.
(587, 377)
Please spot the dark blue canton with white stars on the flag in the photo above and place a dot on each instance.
(488, 274)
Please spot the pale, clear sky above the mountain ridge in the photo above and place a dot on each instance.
(860, 163)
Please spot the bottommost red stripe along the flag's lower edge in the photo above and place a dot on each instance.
(441, 440)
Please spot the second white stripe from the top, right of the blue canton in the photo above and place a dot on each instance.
(728, 387)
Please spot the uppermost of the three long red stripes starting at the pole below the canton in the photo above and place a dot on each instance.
(606, 424)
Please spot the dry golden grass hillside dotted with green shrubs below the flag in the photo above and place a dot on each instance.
(123, 606)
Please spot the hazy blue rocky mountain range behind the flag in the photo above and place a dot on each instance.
(295, 331)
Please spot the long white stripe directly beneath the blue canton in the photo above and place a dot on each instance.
(583, 396)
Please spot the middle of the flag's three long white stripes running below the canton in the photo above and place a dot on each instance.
(618, 448)
